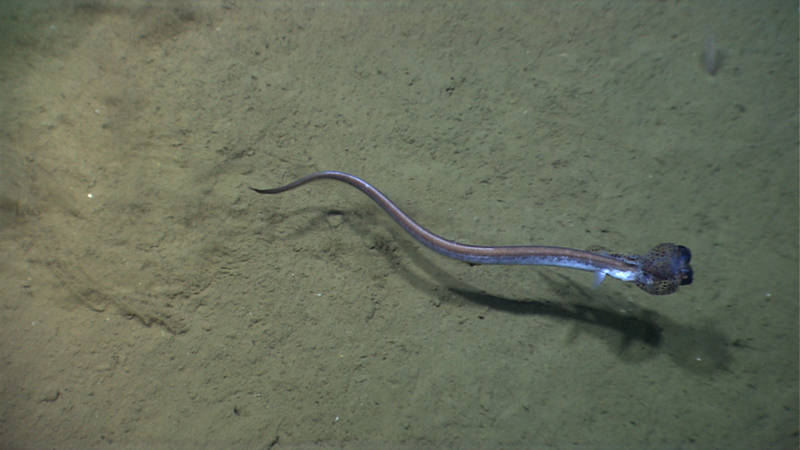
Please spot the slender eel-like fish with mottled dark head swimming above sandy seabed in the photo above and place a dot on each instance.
(659, 272)
